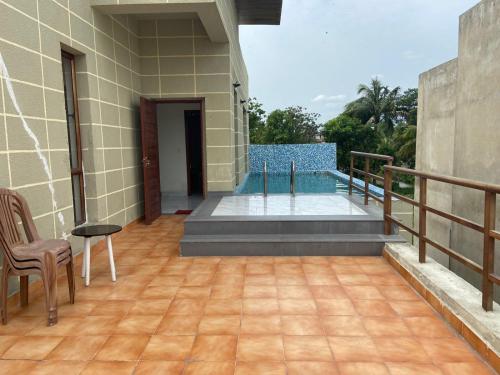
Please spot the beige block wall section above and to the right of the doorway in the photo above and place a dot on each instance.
(178, 60)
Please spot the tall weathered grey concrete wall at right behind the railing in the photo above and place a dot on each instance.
(458, 129)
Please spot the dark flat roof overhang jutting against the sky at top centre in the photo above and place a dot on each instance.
(259, 12)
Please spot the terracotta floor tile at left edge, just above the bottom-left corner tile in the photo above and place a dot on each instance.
(34, 347)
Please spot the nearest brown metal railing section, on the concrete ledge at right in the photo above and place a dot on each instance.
(487, 228)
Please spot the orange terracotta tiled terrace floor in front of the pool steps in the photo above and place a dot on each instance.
(262, 315)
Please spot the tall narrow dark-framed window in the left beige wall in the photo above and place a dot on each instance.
(75, 149)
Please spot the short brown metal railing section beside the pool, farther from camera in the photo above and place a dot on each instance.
(366, 173)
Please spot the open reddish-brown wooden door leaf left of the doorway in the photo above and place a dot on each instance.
(150, 161)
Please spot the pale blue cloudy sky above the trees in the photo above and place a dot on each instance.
(324, 49)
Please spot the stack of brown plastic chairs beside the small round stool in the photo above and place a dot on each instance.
(31, 257)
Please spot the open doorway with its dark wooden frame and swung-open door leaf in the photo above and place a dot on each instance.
(181, 163)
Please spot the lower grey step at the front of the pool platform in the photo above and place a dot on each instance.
(286, 245)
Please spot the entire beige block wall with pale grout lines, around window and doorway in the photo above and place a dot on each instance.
(118, 59)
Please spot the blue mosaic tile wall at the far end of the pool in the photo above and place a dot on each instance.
(308, 157)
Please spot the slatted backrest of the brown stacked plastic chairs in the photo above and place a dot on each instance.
(12, 207)
